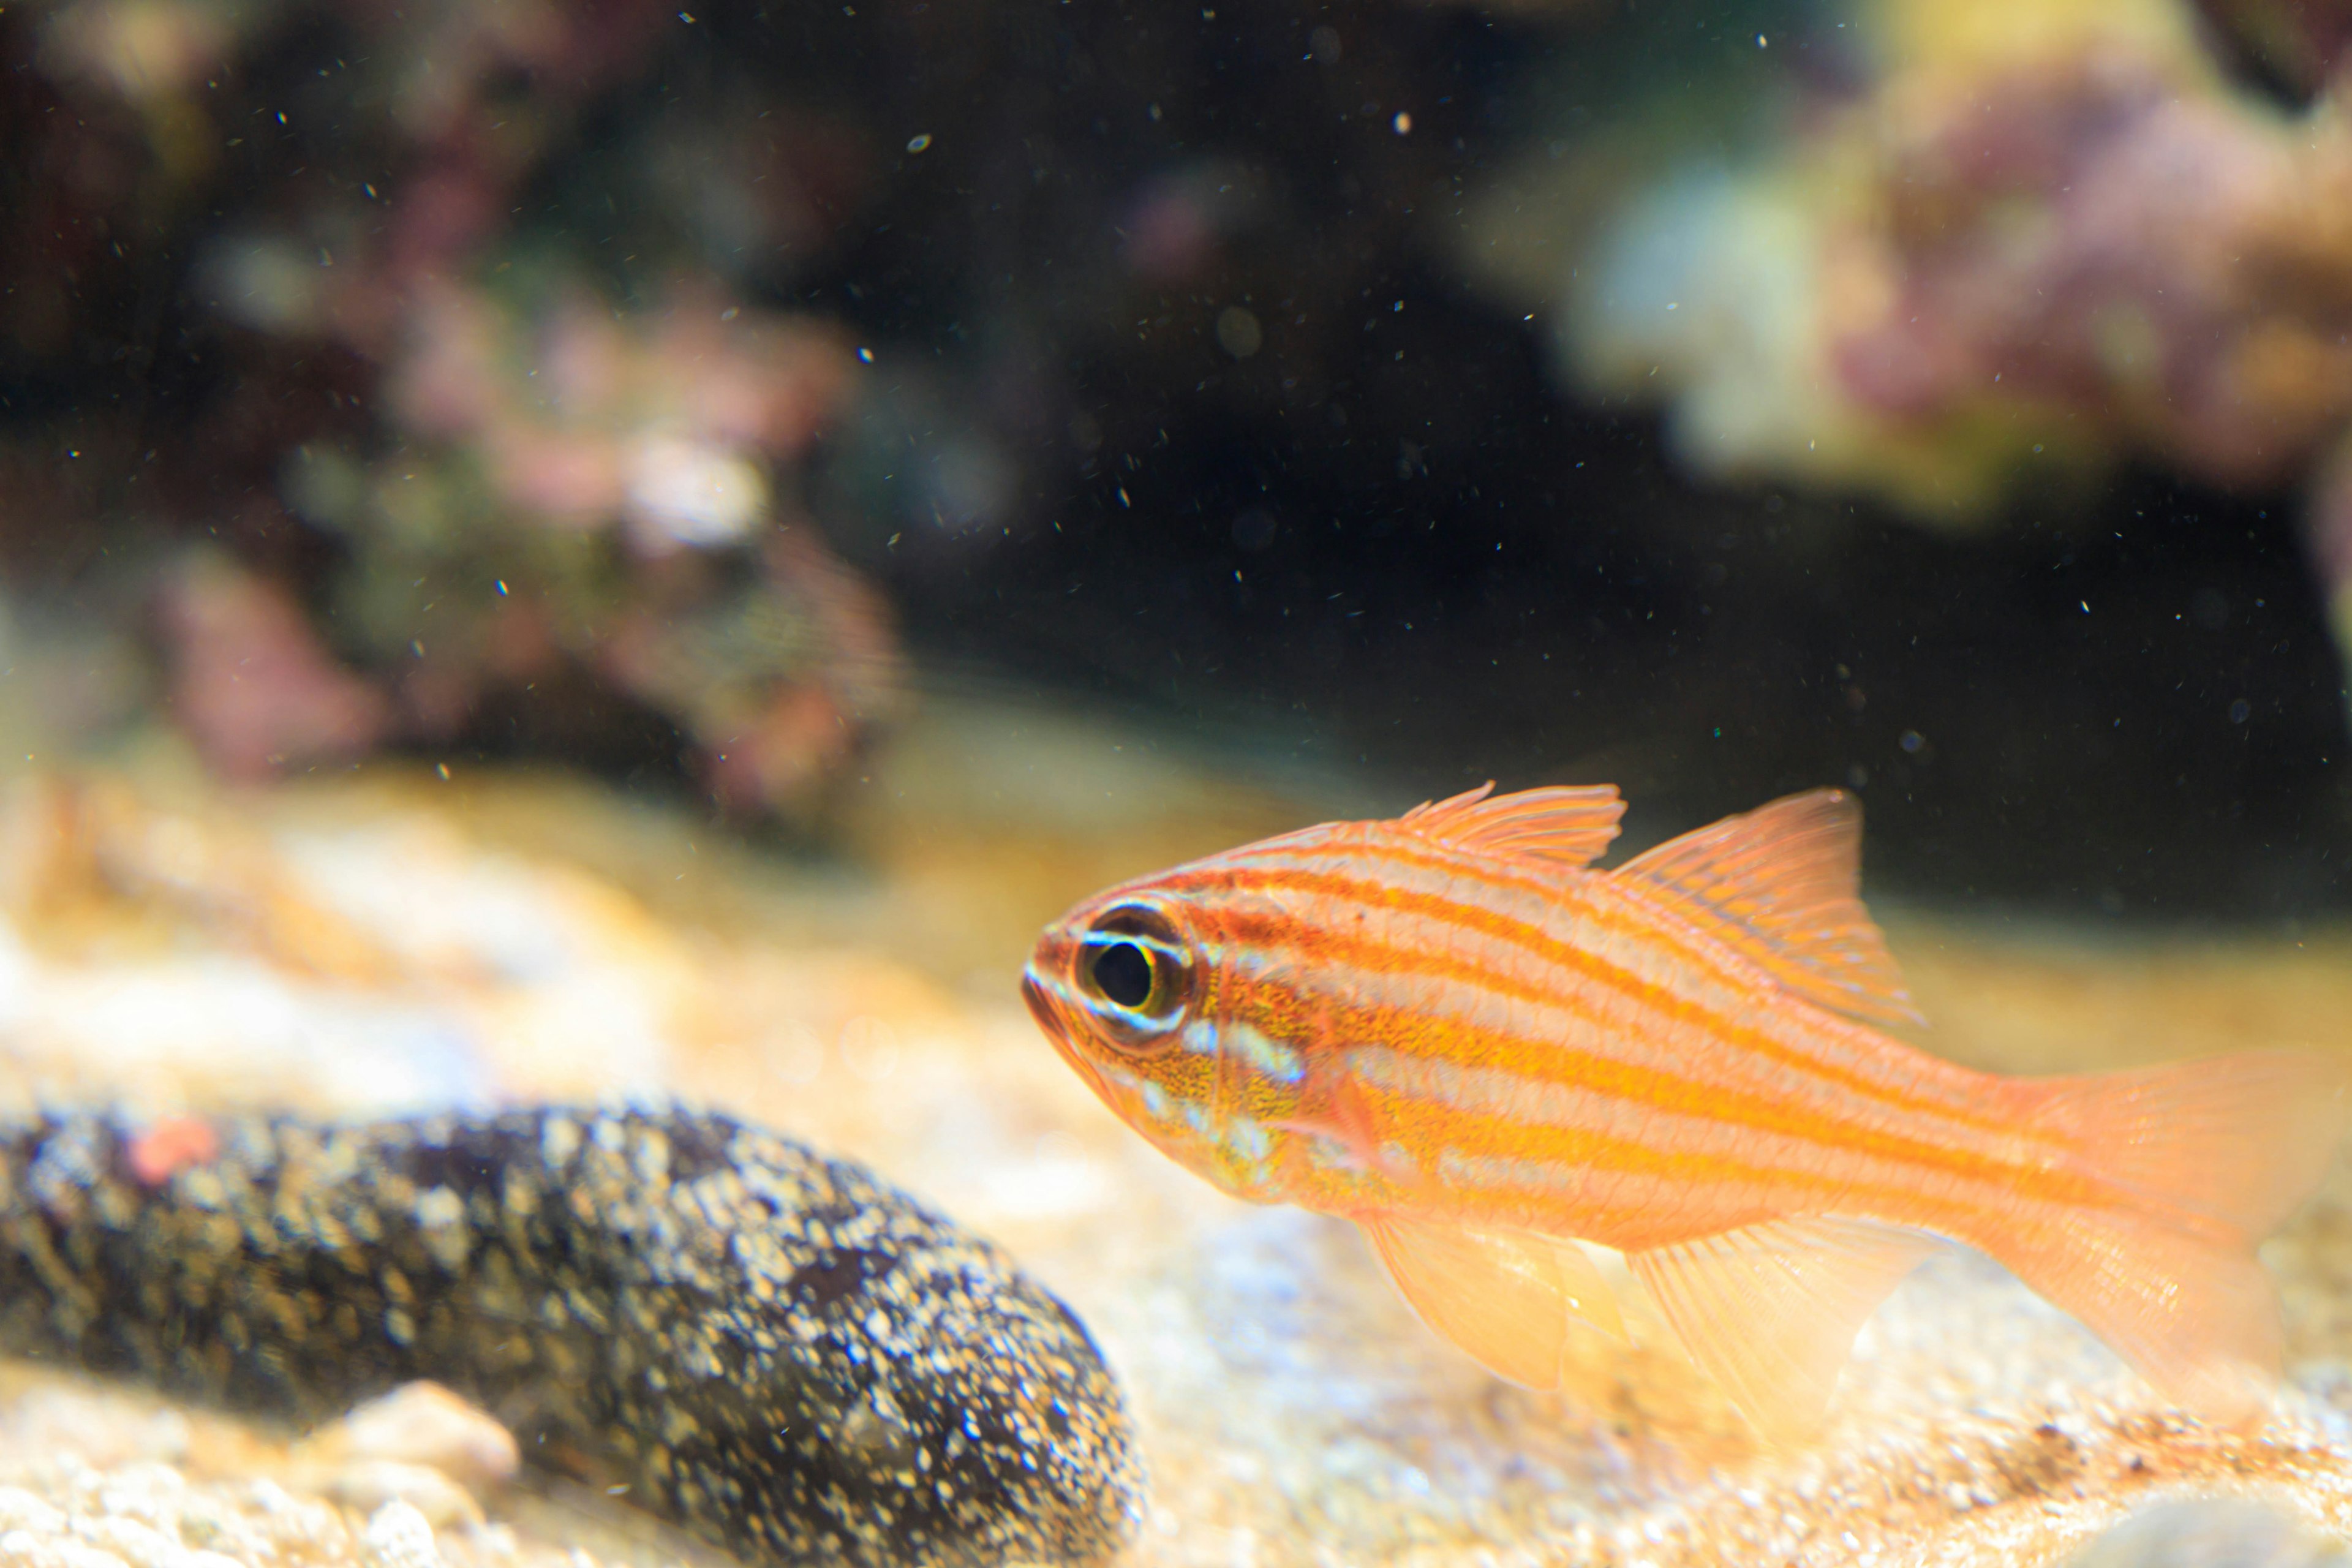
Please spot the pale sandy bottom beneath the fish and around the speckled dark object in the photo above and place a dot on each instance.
(396, 942)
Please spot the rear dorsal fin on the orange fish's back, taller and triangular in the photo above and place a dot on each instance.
(1782, 885)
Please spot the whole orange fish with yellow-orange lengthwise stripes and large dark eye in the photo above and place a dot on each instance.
(1455, 1033)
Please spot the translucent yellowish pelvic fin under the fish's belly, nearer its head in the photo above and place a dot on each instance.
(1502, 1296)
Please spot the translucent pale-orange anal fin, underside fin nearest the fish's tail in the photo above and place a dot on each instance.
(1772, 1311)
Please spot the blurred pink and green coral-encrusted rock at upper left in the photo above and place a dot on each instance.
(298, 363)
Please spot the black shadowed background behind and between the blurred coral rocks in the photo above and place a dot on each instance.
(1391, 537)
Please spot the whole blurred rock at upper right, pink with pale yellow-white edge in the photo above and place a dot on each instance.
(1984, 250)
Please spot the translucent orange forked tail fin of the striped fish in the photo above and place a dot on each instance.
(2193, 1167)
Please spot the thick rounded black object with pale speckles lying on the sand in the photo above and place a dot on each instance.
(768, 1346)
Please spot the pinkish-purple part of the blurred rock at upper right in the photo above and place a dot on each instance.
(2099, 239)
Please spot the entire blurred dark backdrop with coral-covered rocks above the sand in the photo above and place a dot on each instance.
(1716, 398)
